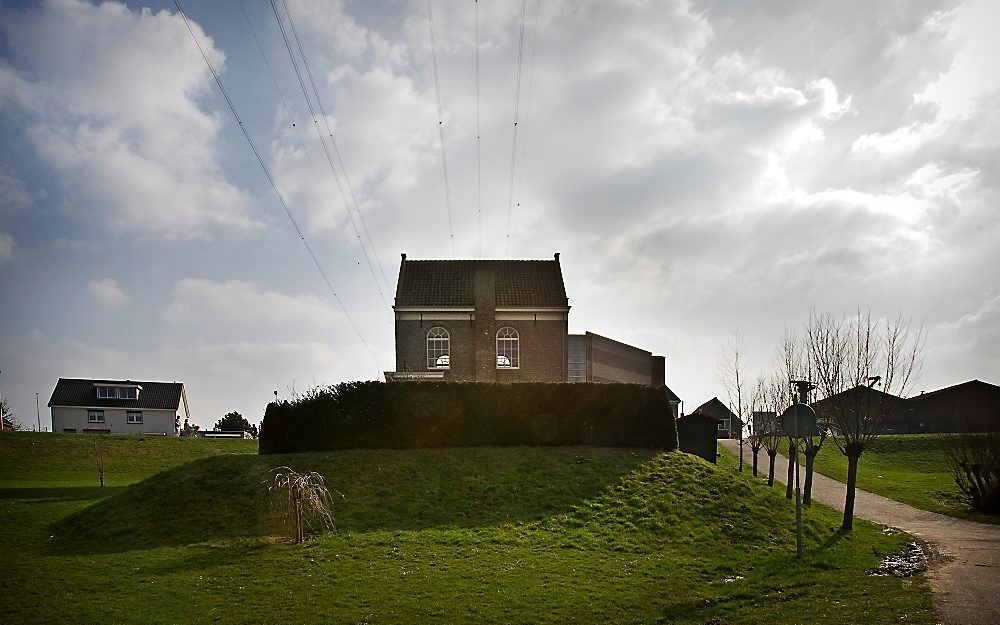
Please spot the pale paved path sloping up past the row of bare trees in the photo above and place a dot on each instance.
(965, 561)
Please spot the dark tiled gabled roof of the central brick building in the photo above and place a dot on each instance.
(449, 283)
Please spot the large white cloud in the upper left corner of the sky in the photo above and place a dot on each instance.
(113, 98)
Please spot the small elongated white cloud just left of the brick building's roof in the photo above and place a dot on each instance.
(244, 303)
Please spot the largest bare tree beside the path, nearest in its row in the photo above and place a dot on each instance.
(849, 357)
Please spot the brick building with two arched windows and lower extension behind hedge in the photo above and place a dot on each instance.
(503, 321)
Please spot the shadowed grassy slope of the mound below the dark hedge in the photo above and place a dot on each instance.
(224, 496)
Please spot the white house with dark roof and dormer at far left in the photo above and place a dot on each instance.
(118, 407)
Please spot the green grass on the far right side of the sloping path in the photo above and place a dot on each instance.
(906, 467)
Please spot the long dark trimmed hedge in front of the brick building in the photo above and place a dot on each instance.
(404, 415)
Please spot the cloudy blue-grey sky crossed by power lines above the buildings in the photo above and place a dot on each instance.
(704, 168)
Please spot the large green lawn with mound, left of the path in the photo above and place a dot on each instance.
(486, 535)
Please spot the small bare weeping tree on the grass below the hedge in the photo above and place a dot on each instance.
(302, 499)
